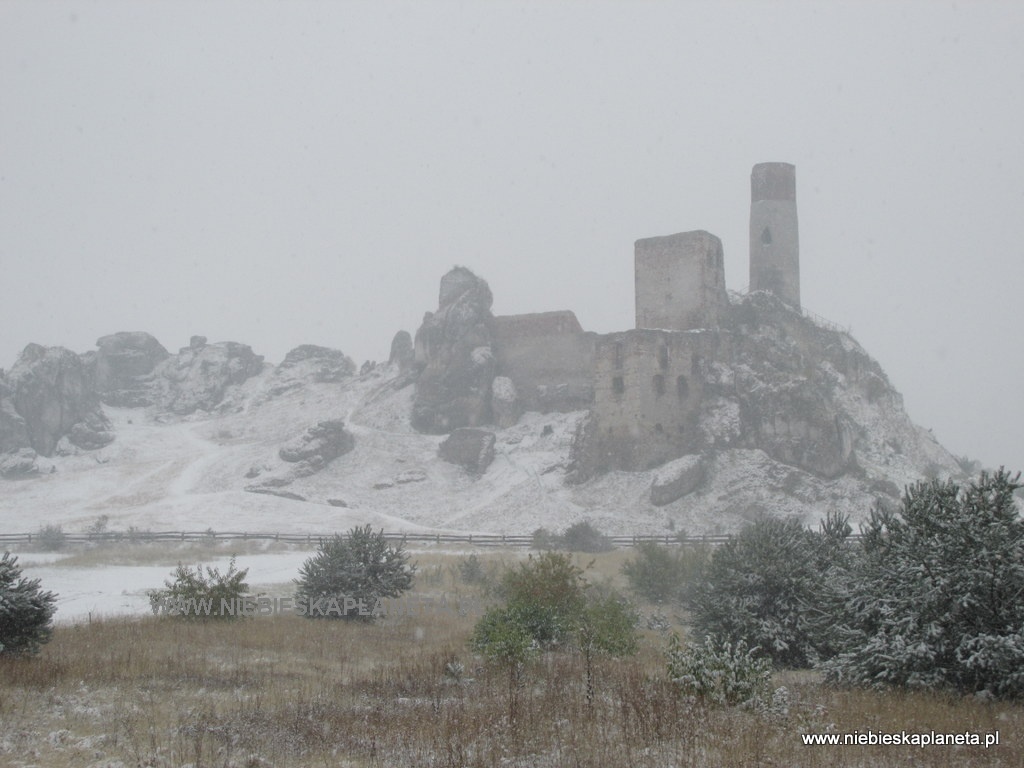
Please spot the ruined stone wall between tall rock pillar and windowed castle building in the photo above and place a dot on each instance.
(549, 358)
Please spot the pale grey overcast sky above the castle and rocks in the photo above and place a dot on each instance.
(289, 174)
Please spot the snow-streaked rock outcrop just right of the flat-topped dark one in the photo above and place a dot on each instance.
(199, 376)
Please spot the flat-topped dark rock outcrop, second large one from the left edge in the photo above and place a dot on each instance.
(123, 366)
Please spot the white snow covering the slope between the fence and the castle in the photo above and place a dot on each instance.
(165, 473)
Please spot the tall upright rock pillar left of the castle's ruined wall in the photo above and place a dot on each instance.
(454, 350)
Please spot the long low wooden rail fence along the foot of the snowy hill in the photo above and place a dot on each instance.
(483, 540)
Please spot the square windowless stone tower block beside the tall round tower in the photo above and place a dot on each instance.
(680, 282)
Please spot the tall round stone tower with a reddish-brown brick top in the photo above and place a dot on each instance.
(775, 241)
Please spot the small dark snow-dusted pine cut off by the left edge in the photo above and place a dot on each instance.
(26, 611)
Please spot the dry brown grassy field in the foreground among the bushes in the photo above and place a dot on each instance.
(289, 692)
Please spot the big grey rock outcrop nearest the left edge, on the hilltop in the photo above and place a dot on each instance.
(50, 395)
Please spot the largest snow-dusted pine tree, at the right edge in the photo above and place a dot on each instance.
(938, 601)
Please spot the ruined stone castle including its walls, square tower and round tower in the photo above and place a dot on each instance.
(647, 388)
